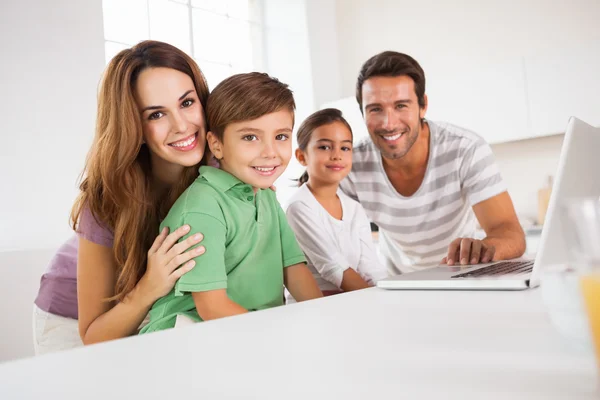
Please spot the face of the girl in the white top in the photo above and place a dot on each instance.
(328, 155)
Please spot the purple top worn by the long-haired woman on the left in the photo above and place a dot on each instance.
(58, 287)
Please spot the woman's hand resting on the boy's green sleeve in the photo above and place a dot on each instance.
(168, 261)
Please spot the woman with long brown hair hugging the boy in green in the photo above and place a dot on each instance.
(150, 140)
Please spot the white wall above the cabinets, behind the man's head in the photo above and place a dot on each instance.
(438, 34)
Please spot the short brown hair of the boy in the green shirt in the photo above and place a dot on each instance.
(244, 97)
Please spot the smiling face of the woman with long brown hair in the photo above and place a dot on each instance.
(172, 118)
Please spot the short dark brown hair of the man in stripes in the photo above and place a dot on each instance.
(392, 63)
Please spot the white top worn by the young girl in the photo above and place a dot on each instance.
(331, 246)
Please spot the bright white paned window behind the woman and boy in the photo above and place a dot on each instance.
(223, 36)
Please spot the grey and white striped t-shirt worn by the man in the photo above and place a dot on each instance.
(415, 231)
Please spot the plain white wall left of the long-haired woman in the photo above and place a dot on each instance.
(52, 58)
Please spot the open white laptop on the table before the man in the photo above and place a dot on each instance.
(578, 175)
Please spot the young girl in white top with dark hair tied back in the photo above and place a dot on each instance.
(332, 229)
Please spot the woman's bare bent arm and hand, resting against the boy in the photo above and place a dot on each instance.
(101, 320)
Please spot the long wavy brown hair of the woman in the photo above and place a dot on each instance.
(117, 186)
